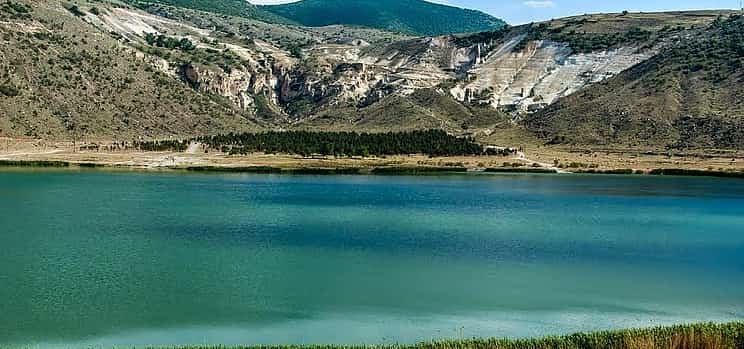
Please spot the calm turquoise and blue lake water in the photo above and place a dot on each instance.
(106, 259)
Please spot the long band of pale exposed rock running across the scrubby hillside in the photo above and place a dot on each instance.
(354, 72)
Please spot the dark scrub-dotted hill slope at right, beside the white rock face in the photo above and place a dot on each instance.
(690, 94)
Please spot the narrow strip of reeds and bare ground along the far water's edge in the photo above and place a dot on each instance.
(373, 170)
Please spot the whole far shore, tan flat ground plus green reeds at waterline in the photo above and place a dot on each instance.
(531, 160)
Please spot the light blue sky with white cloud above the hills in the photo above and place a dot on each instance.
(525, 11)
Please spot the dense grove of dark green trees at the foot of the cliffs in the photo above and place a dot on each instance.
(431, 142)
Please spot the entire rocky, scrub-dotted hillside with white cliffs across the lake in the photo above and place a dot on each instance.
(149, 69)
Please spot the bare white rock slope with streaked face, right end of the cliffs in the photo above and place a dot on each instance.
(541, 73)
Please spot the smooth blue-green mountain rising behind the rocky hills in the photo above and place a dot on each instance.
(416, 17)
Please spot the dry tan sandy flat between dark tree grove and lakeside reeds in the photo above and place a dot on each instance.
(562, 159)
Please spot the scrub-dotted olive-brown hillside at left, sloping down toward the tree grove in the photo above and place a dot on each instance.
(60, 78)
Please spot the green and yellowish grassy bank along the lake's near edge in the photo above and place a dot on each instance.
(697, 336)
